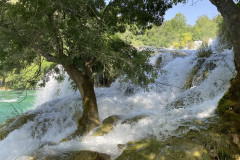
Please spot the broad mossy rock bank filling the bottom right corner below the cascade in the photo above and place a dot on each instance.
(195, 145)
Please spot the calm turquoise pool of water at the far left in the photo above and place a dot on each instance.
(13, 103)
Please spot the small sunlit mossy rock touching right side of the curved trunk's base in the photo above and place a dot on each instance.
(107, 125)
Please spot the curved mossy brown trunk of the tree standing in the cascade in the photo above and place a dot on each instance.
(85, 84)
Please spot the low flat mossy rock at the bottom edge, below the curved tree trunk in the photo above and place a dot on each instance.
(77, 155)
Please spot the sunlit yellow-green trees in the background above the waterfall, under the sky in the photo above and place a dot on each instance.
(175, 33)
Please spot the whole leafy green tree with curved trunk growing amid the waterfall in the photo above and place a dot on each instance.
(79, 35)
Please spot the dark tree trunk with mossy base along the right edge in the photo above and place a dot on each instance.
(229, 105)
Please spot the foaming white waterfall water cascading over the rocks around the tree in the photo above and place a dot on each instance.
(163, 117)
